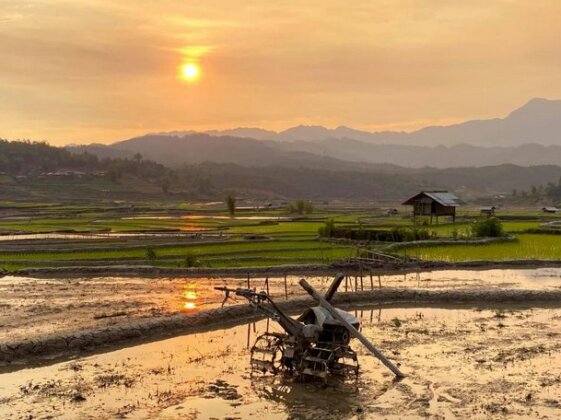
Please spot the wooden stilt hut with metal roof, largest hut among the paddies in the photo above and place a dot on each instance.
(434, 204)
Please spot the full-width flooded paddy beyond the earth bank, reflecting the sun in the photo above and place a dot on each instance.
(35, 307)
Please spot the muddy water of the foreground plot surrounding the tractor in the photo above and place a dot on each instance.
(460, 363)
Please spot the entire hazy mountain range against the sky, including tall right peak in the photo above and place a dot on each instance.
(529, 135)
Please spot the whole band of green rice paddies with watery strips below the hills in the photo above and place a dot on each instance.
(205, 235)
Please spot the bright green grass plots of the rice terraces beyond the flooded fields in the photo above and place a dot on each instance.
(295, 240)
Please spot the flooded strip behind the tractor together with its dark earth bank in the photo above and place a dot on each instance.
(41, 320)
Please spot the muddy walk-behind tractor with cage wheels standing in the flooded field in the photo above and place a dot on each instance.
(316, 344)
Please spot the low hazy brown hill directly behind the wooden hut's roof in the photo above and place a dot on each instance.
(365, 184)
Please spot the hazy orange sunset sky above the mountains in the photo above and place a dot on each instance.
(91, 70)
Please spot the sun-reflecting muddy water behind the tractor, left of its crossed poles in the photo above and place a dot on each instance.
(35, 307)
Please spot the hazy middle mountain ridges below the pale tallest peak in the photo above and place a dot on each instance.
(350, 154)
